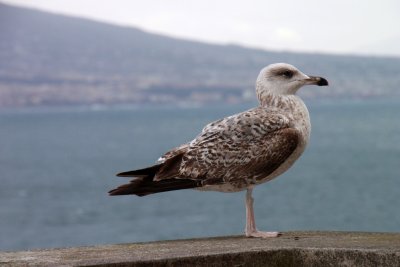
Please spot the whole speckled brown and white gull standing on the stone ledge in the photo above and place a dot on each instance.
(241, 151)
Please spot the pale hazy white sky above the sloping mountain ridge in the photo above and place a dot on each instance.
(335, 26)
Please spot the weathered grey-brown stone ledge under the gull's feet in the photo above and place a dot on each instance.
(290, 249)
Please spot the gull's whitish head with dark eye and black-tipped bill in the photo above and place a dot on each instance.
(284, 79)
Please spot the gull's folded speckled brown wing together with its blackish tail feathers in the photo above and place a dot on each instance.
(238, 151)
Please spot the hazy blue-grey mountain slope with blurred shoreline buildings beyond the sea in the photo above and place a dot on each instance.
(50, 59)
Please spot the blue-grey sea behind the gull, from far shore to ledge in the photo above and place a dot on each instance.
(57, 164)
